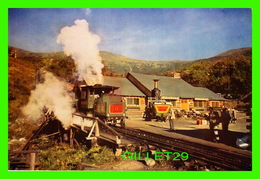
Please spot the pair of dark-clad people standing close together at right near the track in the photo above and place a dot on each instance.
(223, 116)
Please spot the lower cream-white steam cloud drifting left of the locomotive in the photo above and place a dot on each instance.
(53, 95)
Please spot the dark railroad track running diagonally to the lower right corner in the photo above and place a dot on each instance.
(225, 159)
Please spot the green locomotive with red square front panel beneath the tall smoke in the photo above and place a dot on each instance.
(100, 101)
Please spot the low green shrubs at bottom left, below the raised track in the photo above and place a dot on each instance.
(62, 157)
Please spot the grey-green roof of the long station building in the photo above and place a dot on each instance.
(170, 87)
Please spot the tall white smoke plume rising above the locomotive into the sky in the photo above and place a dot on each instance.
(82, 45)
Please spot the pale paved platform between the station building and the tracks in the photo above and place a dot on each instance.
(189, 130)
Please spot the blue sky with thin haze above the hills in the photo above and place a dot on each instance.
(145, 34)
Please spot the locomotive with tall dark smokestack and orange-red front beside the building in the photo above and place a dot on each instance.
(157, 108)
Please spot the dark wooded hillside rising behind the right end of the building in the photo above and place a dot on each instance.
(229, 73)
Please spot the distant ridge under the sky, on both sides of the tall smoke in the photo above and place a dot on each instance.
(114, 64)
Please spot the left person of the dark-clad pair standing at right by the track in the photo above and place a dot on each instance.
(214, 120)
